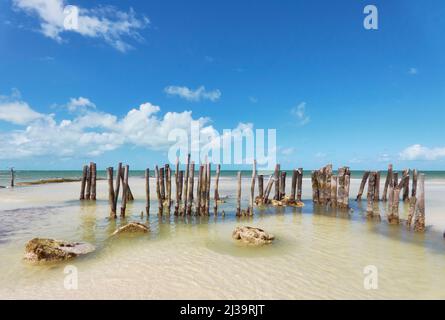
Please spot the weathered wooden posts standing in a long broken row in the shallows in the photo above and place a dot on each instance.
(327, 190)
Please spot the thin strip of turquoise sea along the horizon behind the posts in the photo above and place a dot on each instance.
(34, 175)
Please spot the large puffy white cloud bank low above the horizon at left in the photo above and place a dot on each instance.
(90, 133)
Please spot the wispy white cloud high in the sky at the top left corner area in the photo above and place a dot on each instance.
(105, 22)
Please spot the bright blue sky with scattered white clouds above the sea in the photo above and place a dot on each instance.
(132, 71)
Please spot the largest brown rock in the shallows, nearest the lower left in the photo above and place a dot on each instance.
(50, 250)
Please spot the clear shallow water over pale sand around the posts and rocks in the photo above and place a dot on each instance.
(318, 253)
